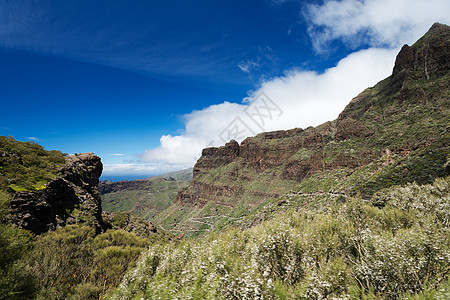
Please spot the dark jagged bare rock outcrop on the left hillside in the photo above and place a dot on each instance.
(70, 198)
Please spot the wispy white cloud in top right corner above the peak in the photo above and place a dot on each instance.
(388, 23)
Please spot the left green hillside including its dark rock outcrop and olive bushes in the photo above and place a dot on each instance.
(70, 250)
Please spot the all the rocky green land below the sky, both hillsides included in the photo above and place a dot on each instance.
(356, 208)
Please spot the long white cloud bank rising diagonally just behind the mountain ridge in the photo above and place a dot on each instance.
(304, 98)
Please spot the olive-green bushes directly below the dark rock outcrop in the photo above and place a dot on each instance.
(73, 262)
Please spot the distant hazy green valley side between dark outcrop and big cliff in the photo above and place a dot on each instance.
(145, 198)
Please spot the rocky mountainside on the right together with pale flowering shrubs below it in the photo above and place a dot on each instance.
(356, 208)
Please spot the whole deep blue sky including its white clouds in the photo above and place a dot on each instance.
(147, 84)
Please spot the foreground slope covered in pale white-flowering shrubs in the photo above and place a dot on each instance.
(335, 249)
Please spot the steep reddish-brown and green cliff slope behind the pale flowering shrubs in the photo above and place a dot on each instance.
(395, 132)
